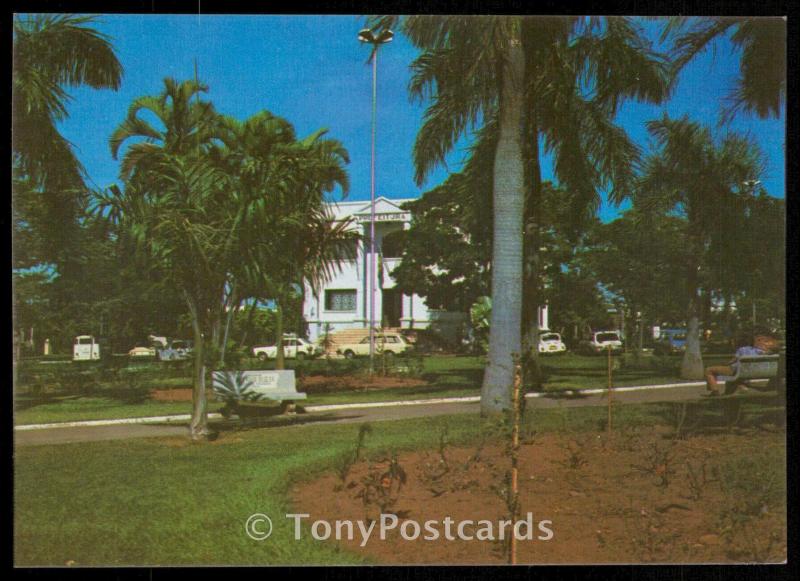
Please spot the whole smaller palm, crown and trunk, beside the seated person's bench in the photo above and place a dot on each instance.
(693, 173)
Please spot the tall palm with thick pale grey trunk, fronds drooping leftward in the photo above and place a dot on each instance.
(473, 67)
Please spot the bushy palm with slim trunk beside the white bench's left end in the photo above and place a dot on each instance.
(184, 225)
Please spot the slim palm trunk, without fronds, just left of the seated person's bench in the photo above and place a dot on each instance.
(692, 364)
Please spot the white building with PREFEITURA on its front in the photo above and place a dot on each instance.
(343, 303)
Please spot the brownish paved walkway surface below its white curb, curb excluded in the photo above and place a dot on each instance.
(64, 435)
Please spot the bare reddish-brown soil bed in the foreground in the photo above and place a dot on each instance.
(639, 496)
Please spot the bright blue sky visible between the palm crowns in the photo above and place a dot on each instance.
(312, 71)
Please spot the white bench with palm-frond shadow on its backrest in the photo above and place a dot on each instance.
(247, 391)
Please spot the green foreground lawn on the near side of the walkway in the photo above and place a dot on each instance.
(169, 502)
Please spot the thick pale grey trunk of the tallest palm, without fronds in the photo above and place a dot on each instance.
(509, 207)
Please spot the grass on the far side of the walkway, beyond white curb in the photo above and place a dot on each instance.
(446, 376)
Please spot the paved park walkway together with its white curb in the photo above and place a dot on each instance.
(70, 432)
